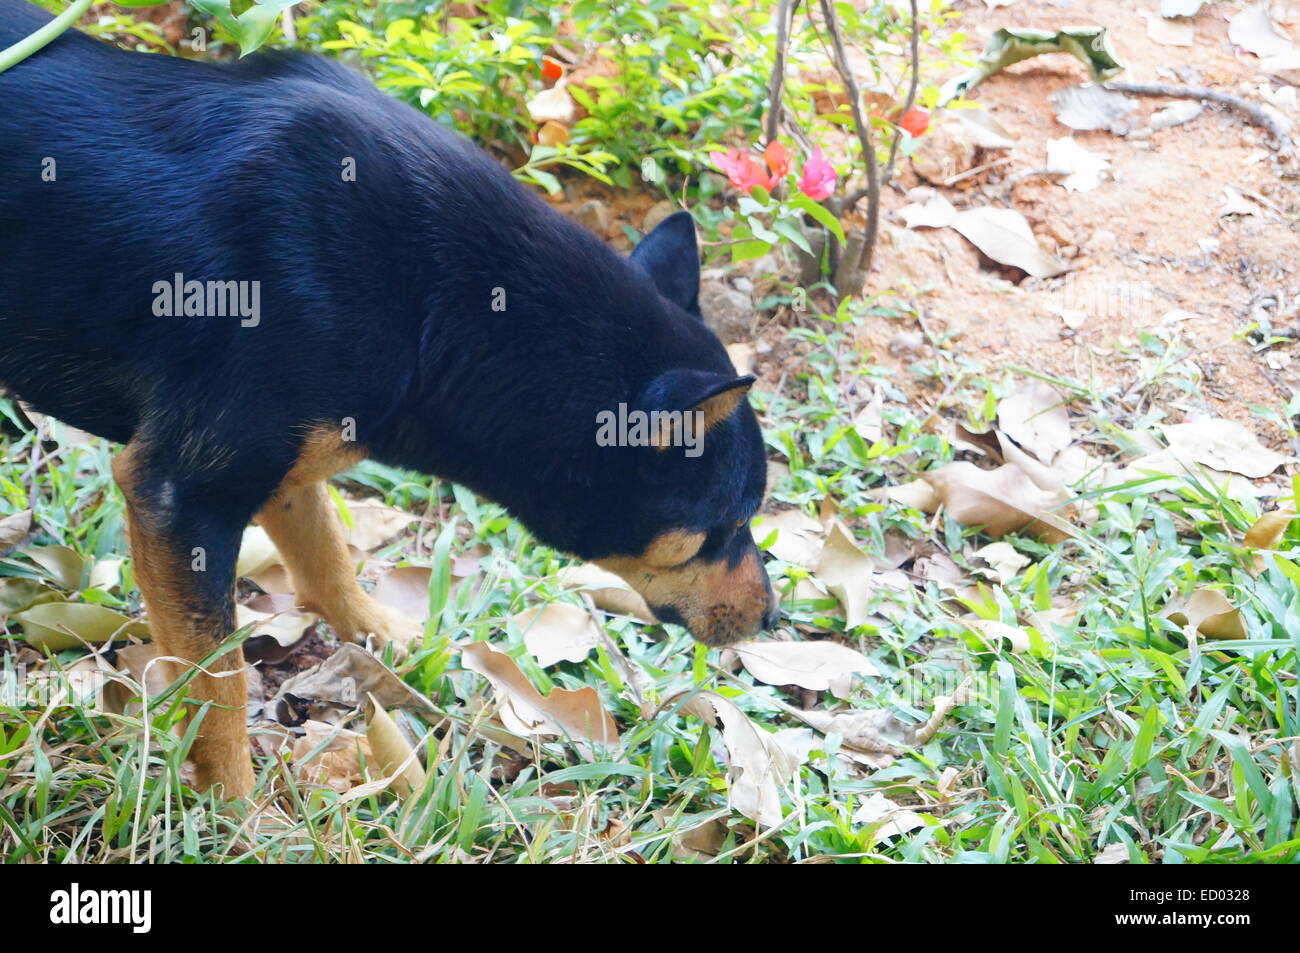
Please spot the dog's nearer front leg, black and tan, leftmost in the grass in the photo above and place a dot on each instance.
(185, 543)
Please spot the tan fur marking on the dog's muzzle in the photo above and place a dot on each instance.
(720, 604)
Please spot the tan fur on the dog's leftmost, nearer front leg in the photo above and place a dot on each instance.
(184, 627)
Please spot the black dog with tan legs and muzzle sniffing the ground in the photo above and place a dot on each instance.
(255, 276)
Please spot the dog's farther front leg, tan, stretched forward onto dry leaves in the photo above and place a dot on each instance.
(302, 522)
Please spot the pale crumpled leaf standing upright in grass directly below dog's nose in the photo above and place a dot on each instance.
(759, 766)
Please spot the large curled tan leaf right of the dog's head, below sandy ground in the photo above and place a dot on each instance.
(1002, 501)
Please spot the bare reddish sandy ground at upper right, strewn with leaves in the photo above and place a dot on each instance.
(1152, 241)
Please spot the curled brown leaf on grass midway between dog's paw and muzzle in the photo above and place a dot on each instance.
(527, 712)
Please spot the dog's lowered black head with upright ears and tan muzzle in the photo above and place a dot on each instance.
(700, 473)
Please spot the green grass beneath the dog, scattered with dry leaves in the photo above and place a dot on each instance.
(1108, 734)
